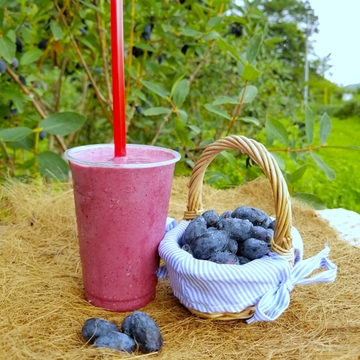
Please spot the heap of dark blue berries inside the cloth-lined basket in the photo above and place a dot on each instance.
(234, 237)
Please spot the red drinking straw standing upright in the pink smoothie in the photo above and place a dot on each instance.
(118, 83)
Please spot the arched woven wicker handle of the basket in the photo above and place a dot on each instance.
(282, 241)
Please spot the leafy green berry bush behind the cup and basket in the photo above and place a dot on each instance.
(195, 71)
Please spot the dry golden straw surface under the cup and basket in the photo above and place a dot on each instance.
(43, 306)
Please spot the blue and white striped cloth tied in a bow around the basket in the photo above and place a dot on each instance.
(209, 287)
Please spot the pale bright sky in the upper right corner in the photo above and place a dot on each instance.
(339, 34)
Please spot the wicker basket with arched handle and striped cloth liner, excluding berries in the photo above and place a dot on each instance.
(260, 289)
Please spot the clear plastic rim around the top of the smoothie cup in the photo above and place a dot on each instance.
(69, 155)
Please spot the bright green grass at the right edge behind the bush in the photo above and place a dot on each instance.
(344, 191)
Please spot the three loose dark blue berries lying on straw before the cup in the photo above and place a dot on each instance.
(138, 330)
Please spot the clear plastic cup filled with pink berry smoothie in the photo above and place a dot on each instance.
(121, 209)
